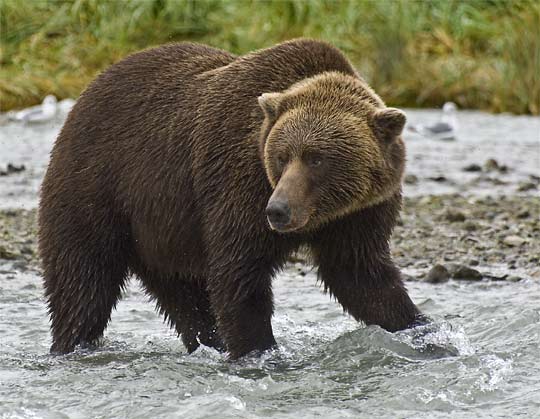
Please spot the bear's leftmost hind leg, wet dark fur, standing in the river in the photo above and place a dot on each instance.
(82, 286)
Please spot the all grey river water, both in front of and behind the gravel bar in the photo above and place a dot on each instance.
(479, 359)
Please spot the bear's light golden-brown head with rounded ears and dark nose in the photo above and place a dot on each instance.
(330, 147)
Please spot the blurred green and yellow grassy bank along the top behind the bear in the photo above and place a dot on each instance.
(480, 54)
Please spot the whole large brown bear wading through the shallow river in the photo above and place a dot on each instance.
(200, 172)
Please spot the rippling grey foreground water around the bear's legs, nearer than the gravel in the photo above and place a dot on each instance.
(483, 362)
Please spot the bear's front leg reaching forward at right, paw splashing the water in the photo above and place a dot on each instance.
(355, 266)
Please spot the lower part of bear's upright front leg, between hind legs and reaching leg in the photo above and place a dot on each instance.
(243, 304)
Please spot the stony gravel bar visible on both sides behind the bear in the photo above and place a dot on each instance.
(439, 238)
